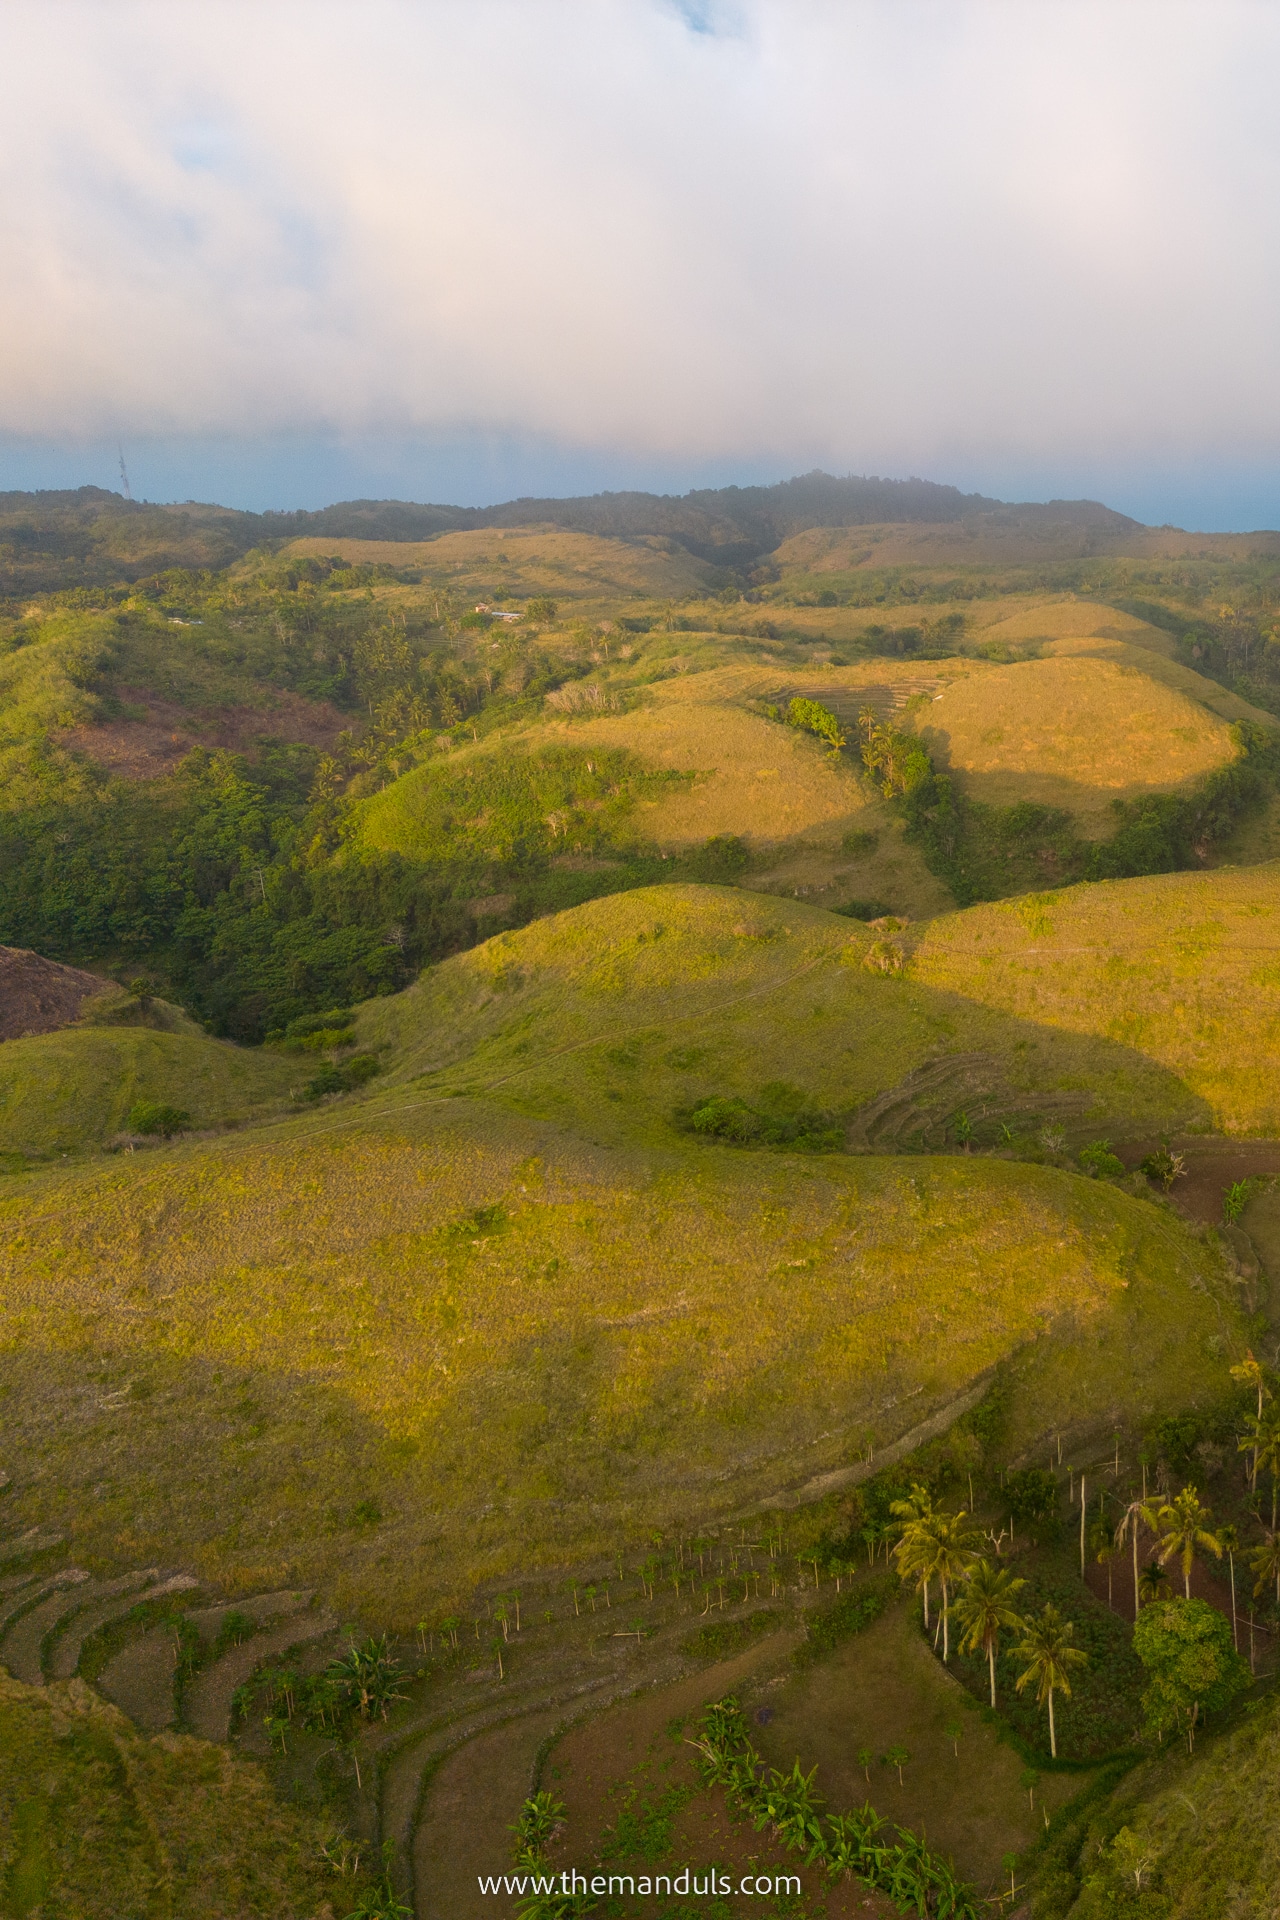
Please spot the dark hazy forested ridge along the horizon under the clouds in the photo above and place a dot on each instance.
(91, 535)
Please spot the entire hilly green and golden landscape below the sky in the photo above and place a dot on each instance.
(582, 1090)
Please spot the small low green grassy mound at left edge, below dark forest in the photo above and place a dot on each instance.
(68, 1092)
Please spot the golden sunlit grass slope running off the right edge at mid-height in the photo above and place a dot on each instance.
(1179, 969)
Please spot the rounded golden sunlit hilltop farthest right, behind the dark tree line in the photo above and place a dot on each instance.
(1074, 732)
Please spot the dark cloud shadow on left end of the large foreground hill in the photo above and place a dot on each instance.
(245, 1476)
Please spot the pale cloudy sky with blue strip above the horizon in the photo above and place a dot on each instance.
(475, 249)
